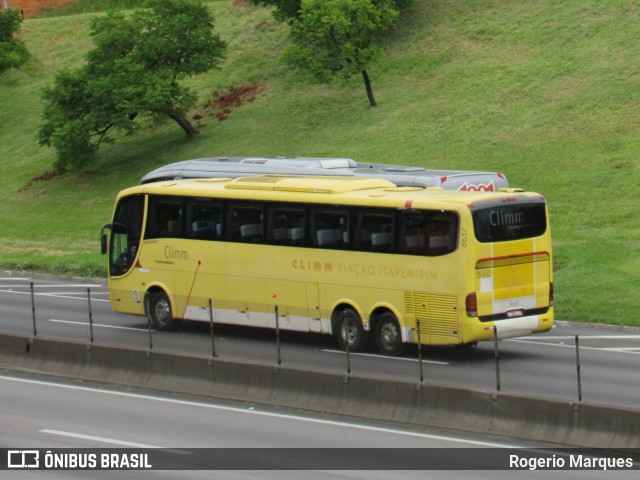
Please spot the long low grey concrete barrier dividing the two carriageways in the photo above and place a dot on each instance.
(430, 406)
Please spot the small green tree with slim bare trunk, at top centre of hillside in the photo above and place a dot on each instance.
(340, 37)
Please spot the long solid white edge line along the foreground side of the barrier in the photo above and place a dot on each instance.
(253, 411)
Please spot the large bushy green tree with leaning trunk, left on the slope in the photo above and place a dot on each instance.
(135, 69)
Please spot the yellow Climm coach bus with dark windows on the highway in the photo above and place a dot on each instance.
(358, 258)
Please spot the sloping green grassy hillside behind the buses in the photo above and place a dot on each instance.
(547, 92)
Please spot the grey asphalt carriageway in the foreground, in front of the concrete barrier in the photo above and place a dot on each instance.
(37, 413)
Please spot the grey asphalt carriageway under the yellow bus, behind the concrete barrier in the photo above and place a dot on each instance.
(543, 365)
